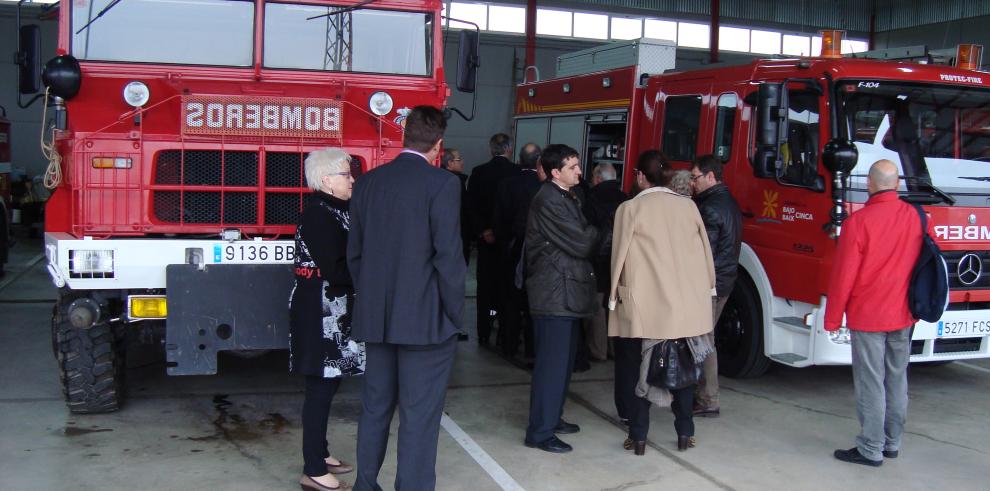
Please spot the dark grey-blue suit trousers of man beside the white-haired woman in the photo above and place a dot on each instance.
(414, 377)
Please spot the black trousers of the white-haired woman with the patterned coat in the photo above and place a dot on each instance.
(316, 410)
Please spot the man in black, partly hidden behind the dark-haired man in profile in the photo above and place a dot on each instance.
(511, 211)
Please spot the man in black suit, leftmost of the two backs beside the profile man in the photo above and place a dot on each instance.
(482, 189)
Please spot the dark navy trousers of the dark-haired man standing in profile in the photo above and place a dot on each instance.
(556, 343)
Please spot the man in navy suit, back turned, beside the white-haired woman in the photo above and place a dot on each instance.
(404, 253)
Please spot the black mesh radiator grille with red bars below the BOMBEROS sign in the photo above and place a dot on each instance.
(214, 187)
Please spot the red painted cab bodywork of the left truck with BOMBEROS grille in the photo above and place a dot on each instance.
(159, 194)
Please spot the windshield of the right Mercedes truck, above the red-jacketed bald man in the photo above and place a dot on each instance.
(938, 135)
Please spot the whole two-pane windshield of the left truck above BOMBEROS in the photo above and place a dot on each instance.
(177, 32)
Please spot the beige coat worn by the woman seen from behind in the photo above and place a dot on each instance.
(663, 277)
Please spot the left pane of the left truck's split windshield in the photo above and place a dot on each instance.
(164, 31)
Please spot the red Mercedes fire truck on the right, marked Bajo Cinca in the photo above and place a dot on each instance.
(797, 137)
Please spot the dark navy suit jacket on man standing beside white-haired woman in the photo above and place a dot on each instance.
(404, 253)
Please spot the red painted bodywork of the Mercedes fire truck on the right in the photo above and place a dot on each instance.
(785, 225)
